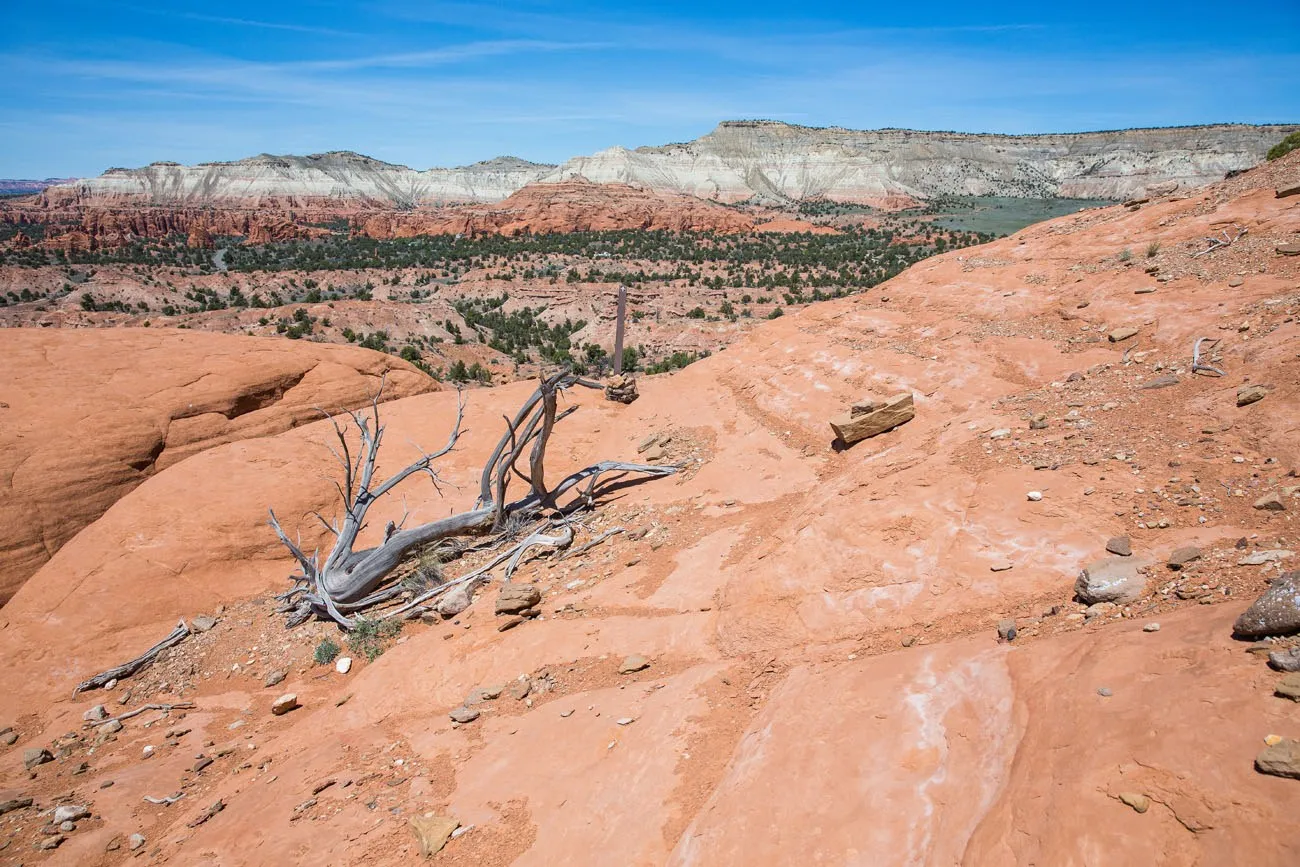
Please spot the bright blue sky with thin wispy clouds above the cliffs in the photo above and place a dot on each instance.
(105, 84)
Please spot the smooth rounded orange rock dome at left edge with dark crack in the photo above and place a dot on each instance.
(86, 418)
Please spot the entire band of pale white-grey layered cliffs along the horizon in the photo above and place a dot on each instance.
(739, 161)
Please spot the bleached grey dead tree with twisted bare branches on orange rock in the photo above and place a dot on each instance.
(350, 582)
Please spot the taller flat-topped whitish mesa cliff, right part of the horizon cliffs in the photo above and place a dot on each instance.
(769, 161)
